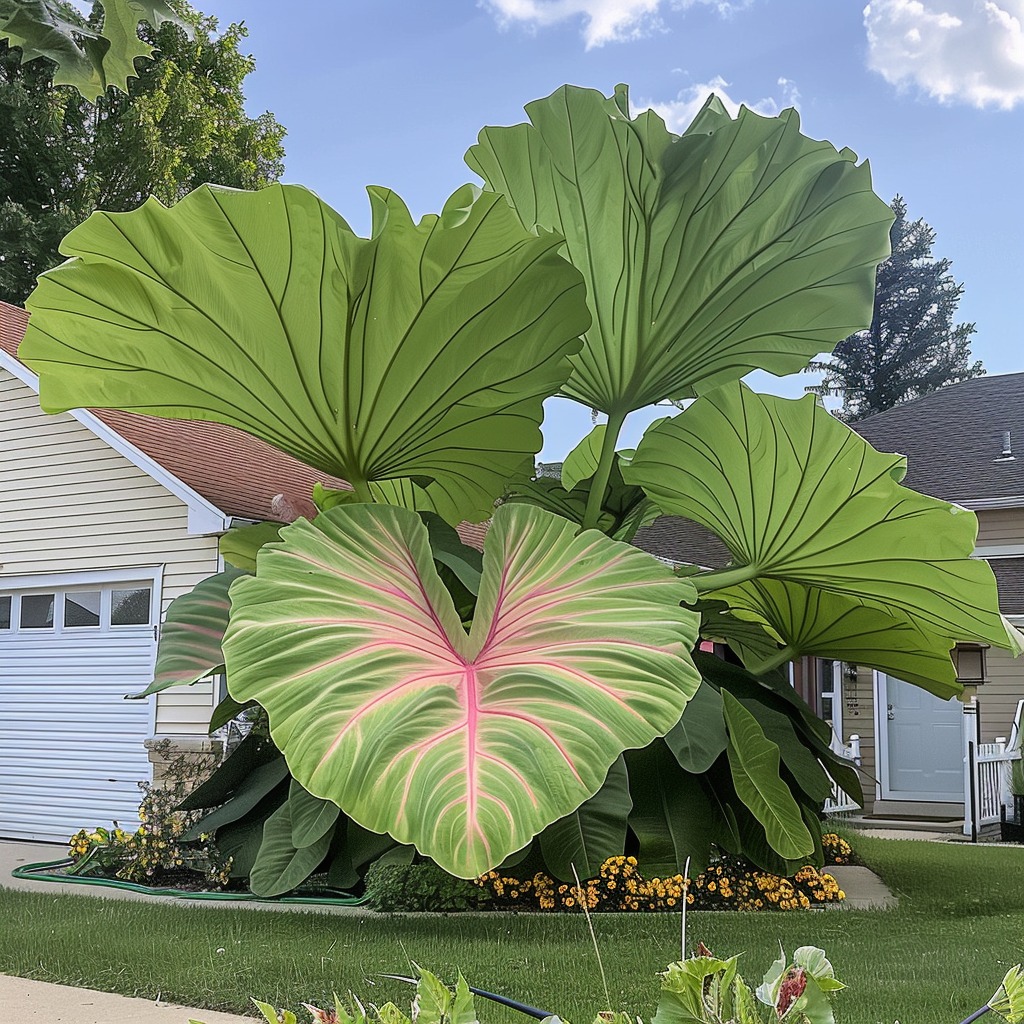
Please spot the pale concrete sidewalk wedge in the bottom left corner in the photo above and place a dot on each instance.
(39, 1001)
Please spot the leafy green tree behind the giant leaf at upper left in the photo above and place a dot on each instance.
(182, 123)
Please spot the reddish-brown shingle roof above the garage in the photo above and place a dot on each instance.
(232, 471)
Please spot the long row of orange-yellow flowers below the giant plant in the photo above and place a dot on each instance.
(729, 885)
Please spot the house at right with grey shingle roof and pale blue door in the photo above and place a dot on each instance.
(965, 444)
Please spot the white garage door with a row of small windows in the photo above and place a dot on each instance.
(72, 750)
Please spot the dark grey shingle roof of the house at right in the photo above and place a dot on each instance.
(954, 440)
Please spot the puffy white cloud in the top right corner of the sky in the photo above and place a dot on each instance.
(956, 51)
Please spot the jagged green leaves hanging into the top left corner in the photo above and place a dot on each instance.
(90, 60)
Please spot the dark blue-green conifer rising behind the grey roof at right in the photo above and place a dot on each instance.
(913, 347)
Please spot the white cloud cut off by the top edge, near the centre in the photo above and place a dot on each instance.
(605, 21)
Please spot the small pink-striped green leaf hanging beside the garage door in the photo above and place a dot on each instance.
(192, 633)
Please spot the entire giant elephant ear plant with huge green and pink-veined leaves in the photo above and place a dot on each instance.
(422, 699)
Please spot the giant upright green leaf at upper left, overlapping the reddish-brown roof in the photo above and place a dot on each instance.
(422, 354)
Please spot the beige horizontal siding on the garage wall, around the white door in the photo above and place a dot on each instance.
(69, 503)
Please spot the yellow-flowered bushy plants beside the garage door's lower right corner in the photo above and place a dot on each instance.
(162, 844)
